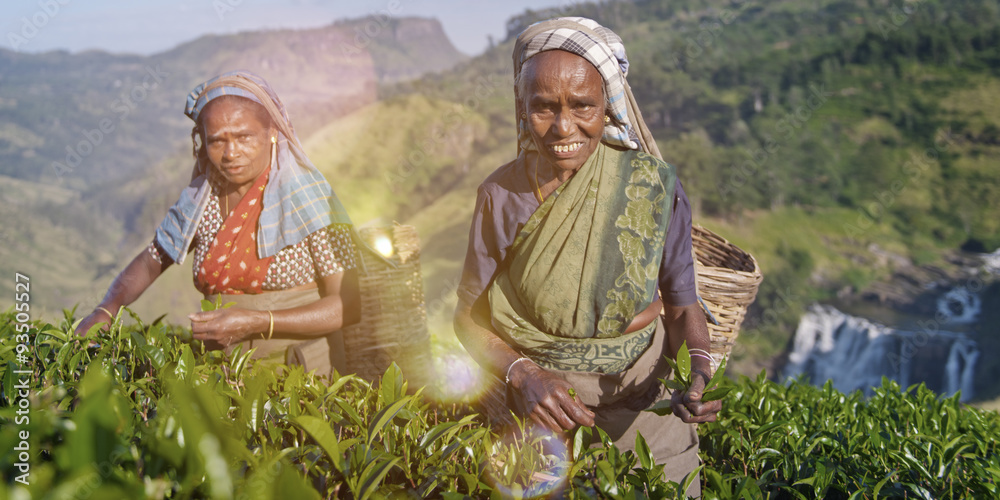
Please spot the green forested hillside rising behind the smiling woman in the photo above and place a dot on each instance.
(821, 136)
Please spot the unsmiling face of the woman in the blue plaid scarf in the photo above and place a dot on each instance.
(237, 143)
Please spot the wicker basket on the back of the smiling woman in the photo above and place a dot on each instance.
(727, 282)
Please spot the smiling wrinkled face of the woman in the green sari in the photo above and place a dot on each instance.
(564, 101)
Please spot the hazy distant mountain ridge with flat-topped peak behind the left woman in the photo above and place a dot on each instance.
(49, 101)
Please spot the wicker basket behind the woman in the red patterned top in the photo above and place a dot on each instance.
(393, 323)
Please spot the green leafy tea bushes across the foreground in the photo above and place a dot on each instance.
(142, 412)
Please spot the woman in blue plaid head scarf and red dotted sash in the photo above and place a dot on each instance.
(265, 228)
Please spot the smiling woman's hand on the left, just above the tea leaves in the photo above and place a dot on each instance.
(546, 399)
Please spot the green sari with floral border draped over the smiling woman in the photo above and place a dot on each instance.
(586, 263)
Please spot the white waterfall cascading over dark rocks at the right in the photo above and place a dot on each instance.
(855, 353)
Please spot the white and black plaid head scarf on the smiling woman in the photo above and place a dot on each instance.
(604, 49)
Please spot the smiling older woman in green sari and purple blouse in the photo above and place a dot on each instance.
(568, 246)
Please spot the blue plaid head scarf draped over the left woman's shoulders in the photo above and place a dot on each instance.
(297, 200)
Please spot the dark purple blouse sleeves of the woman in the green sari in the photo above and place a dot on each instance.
(506, 200)
